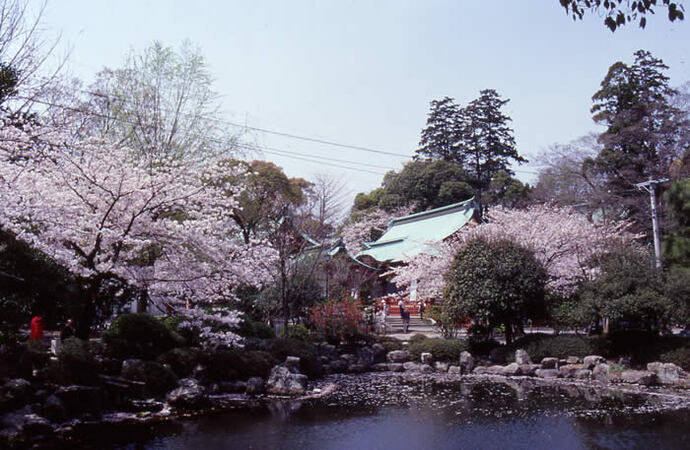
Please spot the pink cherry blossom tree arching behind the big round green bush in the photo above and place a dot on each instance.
(564, 241)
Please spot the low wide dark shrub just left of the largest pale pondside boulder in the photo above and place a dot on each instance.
(238, 364)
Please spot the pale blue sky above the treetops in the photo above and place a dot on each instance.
(363, 72)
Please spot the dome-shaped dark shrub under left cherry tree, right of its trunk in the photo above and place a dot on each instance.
(140, 335)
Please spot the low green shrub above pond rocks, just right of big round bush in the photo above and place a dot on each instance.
(540, 346)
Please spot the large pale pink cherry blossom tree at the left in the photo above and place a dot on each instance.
(164, 229)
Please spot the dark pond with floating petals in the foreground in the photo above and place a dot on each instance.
(388, 411)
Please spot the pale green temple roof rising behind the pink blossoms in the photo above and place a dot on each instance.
(411, 235)
